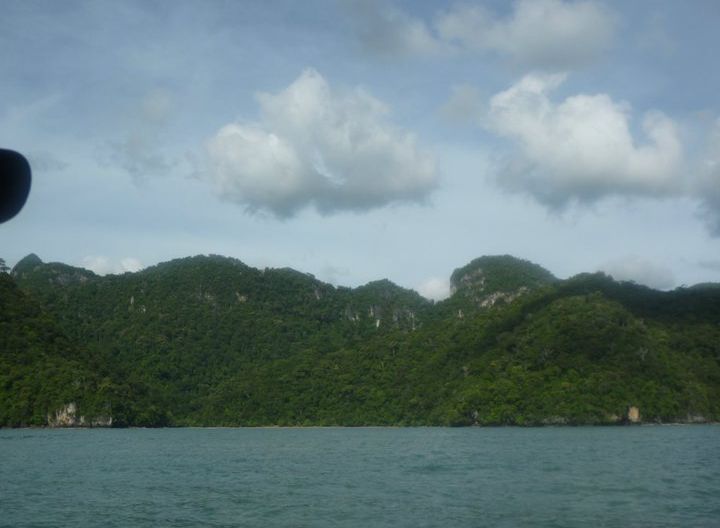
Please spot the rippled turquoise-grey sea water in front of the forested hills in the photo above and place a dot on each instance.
(370, 477)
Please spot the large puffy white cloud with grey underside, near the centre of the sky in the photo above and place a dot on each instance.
(317, 146)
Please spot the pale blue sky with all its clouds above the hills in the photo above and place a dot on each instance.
(360, 140)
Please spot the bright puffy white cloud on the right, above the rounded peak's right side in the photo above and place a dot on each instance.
(582, 148)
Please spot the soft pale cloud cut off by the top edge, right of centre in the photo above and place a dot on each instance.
(551, 34)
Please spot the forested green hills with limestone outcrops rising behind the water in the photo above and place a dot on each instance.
(209, 340)
